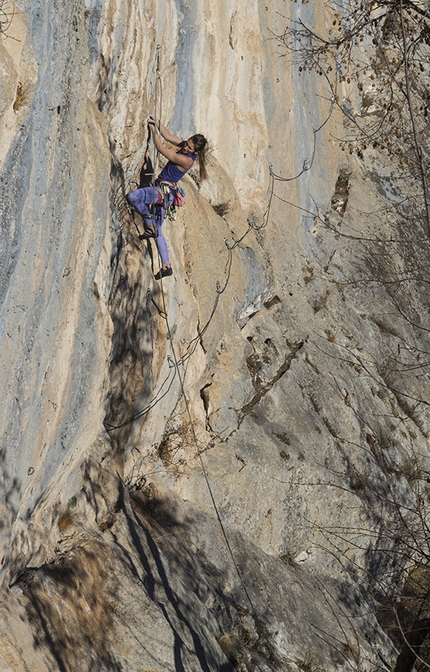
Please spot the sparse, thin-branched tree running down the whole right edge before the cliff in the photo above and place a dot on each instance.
(375, 60)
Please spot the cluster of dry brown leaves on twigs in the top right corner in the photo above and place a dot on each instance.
(375, 58)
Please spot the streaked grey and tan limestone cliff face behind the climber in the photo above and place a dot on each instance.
(203, 473)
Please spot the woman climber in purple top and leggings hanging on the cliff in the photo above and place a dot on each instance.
(178, 164)
